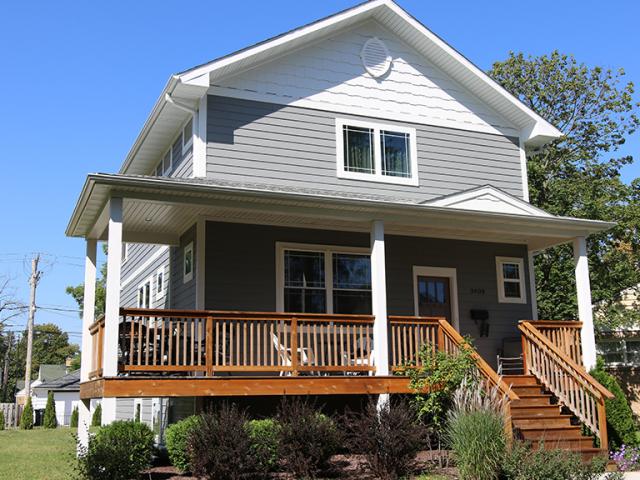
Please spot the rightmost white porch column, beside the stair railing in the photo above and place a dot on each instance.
(585, 312)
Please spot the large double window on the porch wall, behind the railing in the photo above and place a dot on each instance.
(325, 280)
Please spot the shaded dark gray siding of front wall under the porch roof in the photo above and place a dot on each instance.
(241, 273)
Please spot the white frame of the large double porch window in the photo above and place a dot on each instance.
(328, 251)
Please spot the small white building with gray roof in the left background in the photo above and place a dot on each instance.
(66, 396)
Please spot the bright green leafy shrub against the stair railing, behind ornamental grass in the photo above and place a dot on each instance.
(440, 373)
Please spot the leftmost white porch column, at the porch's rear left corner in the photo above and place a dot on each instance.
(88, 317)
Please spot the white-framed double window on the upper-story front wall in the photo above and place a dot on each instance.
(376, 152)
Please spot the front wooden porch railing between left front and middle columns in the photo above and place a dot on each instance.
(217, 341)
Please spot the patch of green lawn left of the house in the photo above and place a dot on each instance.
(36, 454)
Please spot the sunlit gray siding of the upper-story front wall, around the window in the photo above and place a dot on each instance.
(281, 145)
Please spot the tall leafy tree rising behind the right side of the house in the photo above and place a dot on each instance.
(578, 174)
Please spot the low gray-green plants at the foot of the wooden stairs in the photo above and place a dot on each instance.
(522, 463)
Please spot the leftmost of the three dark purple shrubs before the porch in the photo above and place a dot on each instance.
(220, 447)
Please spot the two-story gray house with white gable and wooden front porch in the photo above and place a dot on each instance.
(306, 214)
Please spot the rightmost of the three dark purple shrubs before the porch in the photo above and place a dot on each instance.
(389, 438)
